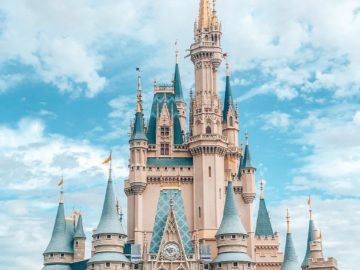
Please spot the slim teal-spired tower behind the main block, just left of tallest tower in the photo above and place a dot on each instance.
(179, 98)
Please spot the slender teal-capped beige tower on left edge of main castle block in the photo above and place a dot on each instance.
(137, 167)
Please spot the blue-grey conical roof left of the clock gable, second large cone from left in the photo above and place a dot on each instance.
(109, 221)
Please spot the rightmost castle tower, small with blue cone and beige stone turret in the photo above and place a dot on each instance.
(314, 258)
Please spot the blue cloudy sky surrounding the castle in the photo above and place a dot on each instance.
(67, 95)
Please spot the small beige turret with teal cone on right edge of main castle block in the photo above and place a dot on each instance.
(248, 173)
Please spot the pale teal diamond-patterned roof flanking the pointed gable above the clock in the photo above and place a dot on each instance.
(163, 207)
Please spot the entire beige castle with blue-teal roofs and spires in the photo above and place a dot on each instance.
(190, 191)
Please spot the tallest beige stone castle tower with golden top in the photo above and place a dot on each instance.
(207, 144)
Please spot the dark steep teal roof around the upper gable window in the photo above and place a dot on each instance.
(159, 99)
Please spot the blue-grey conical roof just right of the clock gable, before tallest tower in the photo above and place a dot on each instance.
(231, 223)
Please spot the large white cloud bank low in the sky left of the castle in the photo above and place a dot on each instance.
(31, 163)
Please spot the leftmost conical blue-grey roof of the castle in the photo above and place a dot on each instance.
(60, 242)
